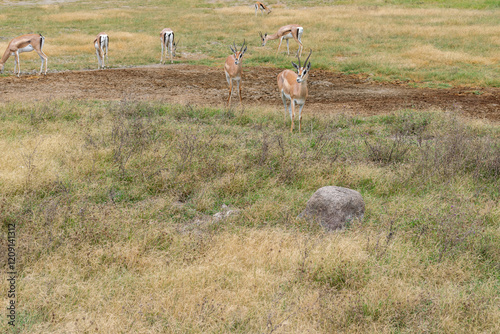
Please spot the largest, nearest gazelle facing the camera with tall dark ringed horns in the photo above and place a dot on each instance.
(293, 87)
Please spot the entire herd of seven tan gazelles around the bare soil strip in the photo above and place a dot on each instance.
(292, 87)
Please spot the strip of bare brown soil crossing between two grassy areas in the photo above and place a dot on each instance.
(329, 92)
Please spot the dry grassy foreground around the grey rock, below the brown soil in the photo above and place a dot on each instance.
(113, 203)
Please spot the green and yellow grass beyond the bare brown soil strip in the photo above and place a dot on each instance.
(428, 44)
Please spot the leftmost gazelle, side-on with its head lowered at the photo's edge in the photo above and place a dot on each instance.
(24, 43)
